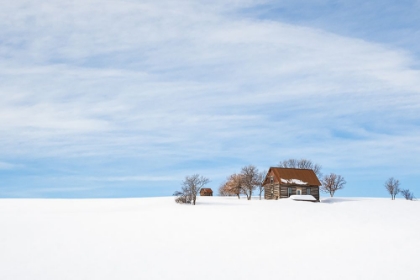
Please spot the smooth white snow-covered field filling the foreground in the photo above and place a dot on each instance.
(219, 238)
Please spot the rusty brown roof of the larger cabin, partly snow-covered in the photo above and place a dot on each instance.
(294, 174)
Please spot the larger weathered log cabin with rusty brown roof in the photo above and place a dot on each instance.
(283, 182)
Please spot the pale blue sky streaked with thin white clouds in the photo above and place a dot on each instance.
(126, 98)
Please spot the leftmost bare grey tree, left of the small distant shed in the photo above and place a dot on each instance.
(191, 186)
